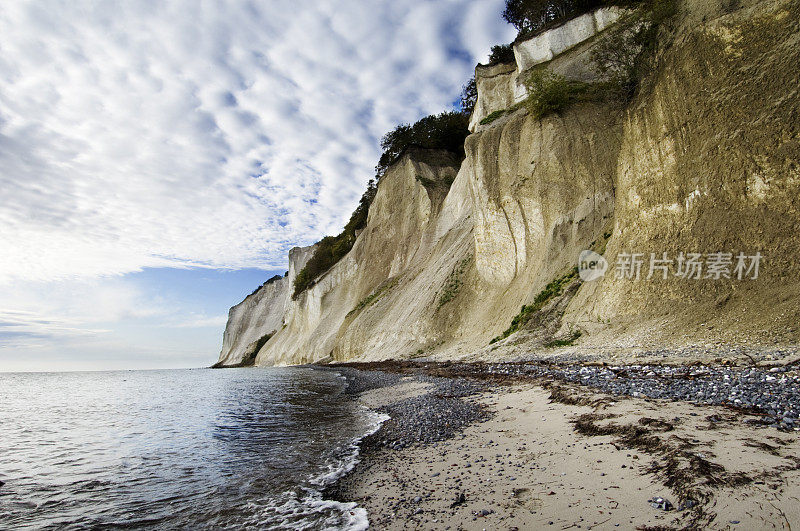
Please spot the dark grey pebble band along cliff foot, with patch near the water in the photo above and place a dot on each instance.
(770, 395)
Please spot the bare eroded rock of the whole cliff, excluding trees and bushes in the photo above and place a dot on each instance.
(706, 158)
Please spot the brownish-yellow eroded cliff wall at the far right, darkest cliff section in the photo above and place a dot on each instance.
(710, 162)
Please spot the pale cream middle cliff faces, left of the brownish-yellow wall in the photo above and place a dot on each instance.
(439, 268)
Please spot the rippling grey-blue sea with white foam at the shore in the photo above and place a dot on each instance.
(178, 449)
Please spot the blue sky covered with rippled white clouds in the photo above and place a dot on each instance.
(158, 159)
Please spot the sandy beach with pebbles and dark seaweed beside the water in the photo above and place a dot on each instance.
(500, 446)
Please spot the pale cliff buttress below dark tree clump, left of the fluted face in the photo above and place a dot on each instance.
(399, 236)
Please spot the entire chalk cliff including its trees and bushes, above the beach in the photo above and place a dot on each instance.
(661, 135)
